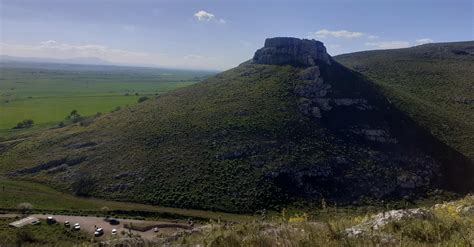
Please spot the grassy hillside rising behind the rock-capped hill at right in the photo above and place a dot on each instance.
(424, 82)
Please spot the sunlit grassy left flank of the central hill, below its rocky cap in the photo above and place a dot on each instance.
(191, 126)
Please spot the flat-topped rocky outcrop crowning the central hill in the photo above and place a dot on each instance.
(292, 51)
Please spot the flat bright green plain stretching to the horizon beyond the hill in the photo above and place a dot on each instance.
(47, 93)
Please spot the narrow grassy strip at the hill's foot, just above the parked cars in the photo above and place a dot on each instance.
(14, 193)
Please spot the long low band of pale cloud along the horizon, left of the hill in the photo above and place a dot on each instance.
(58, 50)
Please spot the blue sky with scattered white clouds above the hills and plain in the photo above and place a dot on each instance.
(220, 34)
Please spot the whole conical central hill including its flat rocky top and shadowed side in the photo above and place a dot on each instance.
(290, 125)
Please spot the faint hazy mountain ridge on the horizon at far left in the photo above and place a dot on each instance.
(77, 60)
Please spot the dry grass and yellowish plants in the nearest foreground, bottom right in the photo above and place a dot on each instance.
(445, 225)
